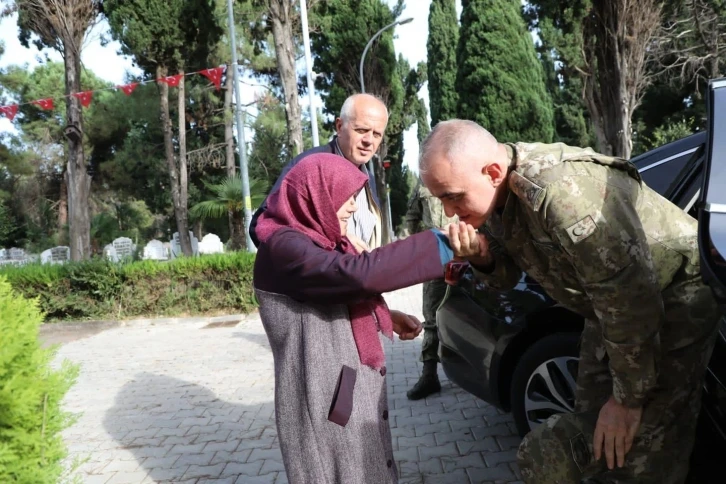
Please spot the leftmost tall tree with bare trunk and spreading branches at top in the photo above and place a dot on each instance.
(62, 26)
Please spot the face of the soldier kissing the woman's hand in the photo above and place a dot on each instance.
(464, 189)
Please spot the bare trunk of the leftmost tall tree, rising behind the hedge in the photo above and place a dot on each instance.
(79, 182)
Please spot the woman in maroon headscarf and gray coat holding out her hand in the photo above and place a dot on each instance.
(322, 310)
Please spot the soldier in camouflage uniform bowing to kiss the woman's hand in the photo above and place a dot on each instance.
(609, 248)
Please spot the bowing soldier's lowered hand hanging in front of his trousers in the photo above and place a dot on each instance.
(615, 431)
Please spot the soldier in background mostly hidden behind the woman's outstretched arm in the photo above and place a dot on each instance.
(426, 212)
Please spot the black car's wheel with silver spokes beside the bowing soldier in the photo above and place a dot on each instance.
(543, 382)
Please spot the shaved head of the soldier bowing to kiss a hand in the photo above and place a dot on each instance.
(462, 164)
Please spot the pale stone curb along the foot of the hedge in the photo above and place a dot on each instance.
(97, 326)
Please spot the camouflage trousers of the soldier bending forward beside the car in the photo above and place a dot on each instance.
(560, 451)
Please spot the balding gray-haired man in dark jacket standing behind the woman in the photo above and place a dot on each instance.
(359, 133)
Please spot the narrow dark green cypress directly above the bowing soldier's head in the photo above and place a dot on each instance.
(441, 50)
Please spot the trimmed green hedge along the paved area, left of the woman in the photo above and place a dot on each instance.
(101, 289)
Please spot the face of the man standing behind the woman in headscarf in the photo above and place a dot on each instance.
(360, 136)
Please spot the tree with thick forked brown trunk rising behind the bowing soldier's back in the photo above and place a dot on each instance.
(609, 45)
